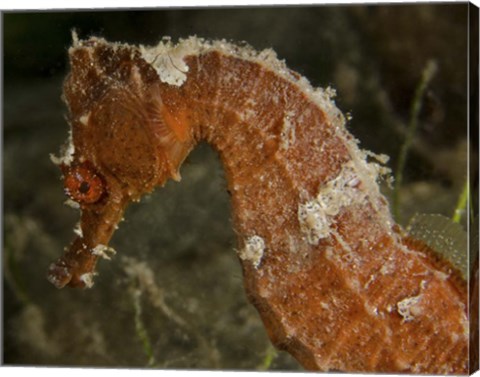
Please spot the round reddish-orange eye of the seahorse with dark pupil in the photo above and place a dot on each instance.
(83, 184)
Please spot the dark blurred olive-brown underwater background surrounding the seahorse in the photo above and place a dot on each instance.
(173, 297)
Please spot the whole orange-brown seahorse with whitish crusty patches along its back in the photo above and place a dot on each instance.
(336, 282)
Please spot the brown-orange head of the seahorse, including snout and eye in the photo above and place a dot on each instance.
(112, 156)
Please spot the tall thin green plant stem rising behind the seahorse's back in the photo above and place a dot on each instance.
(427, 75)
